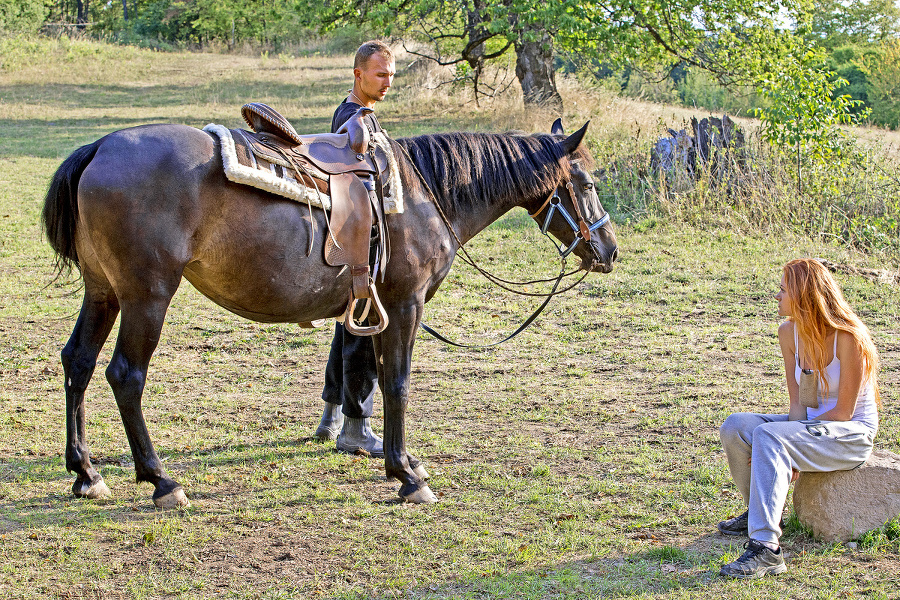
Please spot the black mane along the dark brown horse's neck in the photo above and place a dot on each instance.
(468, 169)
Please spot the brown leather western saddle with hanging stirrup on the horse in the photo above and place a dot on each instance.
(345, 166)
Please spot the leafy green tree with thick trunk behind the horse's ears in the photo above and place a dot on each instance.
(736, 40)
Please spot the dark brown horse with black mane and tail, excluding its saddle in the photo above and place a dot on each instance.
(143, 207)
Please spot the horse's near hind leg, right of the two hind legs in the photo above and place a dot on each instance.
(139, 333)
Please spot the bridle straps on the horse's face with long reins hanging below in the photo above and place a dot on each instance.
(498, 281)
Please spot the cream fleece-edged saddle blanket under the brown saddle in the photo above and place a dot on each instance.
(287, 185)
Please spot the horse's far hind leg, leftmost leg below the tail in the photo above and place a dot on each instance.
(79, 357)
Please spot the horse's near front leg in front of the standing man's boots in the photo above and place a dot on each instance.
(394, 348)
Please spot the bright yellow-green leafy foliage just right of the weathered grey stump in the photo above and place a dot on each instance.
(804, 112)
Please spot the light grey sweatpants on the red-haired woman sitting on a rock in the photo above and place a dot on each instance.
(776, 446)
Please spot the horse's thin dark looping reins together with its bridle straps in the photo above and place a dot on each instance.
(581, 229)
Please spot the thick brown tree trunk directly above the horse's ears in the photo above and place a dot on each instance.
(534, 69)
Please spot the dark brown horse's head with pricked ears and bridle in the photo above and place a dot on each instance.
(573, 213)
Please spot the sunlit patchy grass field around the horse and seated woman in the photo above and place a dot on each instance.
(580, 460)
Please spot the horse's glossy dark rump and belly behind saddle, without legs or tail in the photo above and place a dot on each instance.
(155, 206)
